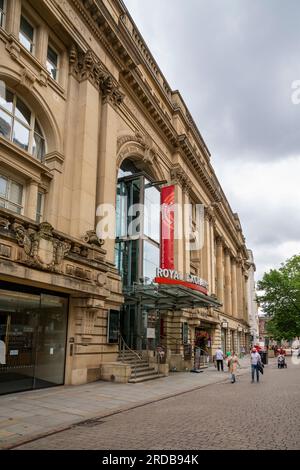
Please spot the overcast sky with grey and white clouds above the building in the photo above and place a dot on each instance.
(234, 62)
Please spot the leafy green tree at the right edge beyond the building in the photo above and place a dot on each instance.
(280, 299)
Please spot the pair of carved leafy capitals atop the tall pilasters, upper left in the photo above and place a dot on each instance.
(86, 66)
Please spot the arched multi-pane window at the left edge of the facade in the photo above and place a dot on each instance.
(19, 124)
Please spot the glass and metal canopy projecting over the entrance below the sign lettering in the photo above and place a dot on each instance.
(168, 297)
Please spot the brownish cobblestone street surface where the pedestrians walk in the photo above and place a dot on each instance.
(219, 416)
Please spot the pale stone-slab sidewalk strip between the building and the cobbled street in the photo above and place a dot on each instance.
(28, 415)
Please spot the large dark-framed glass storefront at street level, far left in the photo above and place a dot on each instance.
(33, 328)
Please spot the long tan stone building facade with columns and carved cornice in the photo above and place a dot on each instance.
(83, 104)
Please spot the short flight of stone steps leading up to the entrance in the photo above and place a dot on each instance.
(140, 368)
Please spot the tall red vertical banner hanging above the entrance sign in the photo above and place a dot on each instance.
(167, 227)
